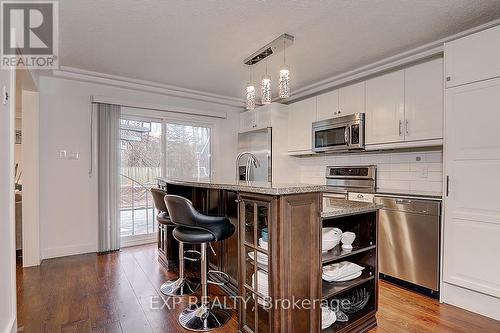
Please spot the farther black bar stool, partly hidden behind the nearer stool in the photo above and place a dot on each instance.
(182, 285)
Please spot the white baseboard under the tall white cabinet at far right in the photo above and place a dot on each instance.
(482, 304)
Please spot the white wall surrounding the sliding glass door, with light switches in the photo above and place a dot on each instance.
(68, 197)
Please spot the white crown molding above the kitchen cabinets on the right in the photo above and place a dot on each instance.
(420, 53)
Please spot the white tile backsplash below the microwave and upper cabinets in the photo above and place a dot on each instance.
(414, 171)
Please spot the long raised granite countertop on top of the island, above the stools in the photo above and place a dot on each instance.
(252, 187)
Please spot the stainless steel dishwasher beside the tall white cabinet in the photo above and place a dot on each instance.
(409, 240)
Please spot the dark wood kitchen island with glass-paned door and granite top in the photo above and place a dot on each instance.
(274, 259)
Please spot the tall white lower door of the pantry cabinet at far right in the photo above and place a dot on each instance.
(472, 212)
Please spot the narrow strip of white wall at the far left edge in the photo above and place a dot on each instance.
(7, 242)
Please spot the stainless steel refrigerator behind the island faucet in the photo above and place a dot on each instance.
(259, 143)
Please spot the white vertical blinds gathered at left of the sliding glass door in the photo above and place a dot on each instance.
(108, 133)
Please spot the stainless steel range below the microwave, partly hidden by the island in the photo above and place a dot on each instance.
(356, 183)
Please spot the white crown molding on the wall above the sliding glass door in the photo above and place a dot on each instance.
(146, 86)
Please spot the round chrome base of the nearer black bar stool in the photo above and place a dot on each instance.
(202, 318)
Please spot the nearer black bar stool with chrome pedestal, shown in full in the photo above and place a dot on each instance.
(196, 228)
